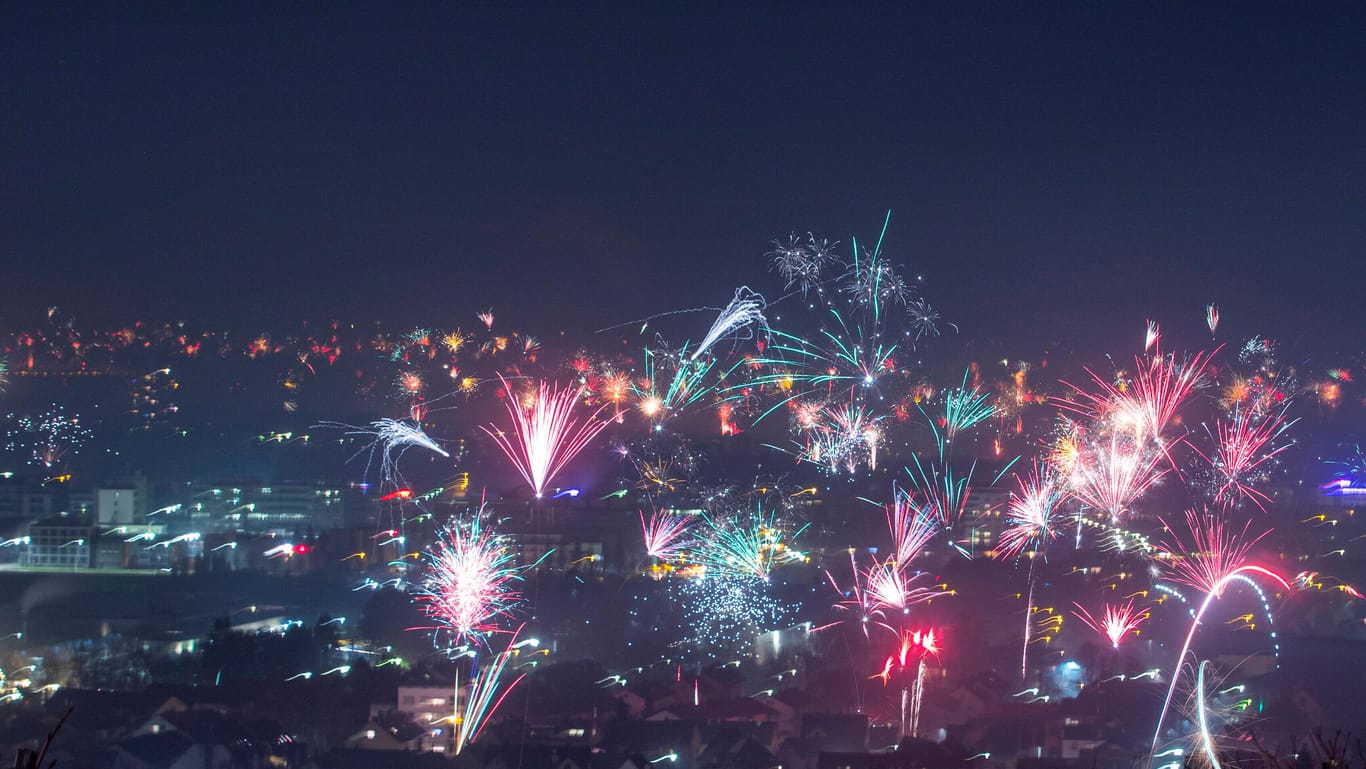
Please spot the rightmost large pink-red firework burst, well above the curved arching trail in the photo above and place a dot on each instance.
(1245, 445)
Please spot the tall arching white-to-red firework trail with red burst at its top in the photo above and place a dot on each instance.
(1218, 558)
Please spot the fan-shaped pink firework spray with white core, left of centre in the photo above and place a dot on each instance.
(546, 434)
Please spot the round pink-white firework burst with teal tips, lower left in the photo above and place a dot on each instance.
(472, 581)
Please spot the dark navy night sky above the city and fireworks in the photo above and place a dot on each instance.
(1050, 170)
